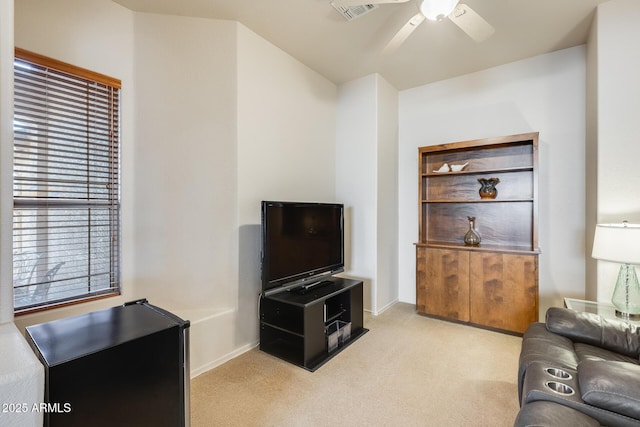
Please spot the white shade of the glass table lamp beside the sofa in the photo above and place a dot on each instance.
(617, 243)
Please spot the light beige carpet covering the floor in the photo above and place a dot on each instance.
(408, 370)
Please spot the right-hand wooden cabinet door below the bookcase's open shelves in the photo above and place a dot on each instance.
(504, 290)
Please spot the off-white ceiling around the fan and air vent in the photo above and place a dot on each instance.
(314, 33)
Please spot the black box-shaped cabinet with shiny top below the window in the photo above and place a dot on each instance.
(124, 366)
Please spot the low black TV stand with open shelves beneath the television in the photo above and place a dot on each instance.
(293, 324)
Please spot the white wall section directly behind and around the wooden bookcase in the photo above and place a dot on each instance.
(544, 94)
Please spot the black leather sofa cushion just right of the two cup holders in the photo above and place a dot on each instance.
(614, 386)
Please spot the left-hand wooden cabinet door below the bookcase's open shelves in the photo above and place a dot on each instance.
(443, 283)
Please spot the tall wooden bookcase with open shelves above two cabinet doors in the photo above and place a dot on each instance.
(493, 284)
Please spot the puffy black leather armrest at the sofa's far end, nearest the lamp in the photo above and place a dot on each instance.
(589, 328)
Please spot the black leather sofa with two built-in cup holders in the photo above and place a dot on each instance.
(579, 369)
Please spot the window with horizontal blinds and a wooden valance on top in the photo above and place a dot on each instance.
(66, 201)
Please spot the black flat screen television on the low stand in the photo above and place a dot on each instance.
(302, 242)
